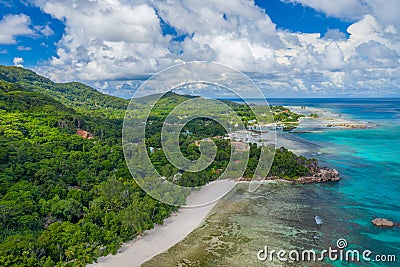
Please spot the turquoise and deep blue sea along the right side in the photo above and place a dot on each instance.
(369, 163)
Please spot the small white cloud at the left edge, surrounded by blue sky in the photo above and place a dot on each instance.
(12, 26)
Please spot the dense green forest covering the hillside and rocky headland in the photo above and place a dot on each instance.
(66, 199)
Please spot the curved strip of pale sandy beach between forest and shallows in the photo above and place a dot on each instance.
(174, 229)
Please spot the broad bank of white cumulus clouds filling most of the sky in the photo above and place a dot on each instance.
(114, 43)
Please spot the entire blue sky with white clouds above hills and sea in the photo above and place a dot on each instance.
(289, 47)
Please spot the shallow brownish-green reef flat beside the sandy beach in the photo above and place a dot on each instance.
(243, 223)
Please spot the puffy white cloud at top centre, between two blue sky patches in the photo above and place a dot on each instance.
(234, 32)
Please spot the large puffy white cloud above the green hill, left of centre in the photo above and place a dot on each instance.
(107, 40)
